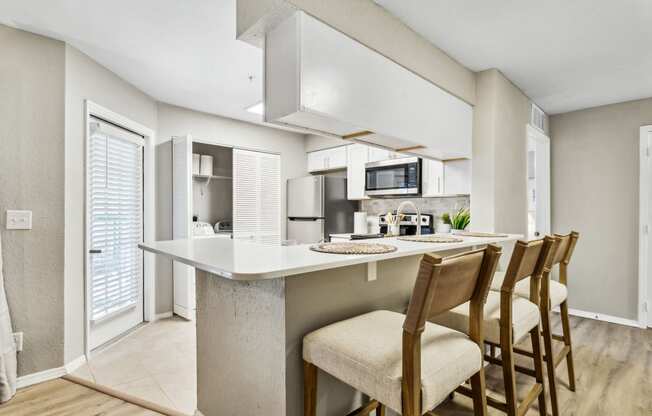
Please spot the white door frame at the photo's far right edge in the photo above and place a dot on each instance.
(645, 218)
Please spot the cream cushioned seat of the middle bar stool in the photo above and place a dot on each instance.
(525, 316)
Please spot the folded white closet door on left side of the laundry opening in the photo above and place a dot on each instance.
(183, 275)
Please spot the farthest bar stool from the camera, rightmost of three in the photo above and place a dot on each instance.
(553, 294)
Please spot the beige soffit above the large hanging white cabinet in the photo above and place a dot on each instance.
(374, 27)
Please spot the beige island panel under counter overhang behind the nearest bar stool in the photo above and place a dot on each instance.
(314, 300)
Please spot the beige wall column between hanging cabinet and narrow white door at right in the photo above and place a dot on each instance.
(499, 185)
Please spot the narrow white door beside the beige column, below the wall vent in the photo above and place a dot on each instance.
(538, 183)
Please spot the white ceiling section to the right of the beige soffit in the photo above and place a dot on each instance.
(565, 55)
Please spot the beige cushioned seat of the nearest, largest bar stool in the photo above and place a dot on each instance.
(365, 352)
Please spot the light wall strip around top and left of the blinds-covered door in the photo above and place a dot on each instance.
(86, 79)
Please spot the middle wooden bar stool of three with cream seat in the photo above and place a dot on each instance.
(509, 319)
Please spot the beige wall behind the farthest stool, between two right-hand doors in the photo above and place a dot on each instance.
(595, 171)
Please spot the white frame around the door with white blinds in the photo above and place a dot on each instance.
(149, 220)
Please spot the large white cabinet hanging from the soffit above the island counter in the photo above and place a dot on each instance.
(320, 80)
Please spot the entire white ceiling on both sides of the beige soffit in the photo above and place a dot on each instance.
(565, 55)
